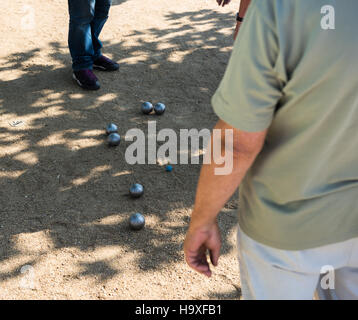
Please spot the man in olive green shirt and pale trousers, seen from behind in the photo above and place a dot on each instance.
(290, 95)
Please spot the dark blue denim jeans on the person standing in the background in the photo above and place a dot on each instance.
(87, 18)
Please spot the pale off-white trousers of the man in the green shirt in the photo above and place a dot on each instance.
(267, 273)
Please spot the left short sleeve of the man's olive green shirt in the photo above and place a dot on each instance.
(250, 89)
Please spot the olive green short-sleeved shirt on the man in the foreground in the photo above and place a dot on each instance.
(294, 70)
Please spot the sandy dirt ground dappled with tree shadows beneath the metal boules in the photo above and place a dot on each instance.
(64, 206)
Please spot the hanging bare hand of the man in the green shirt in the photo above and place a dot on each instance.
(198, 241)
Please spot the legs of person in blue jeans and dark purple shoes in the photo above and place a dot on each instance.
(87, 18)
